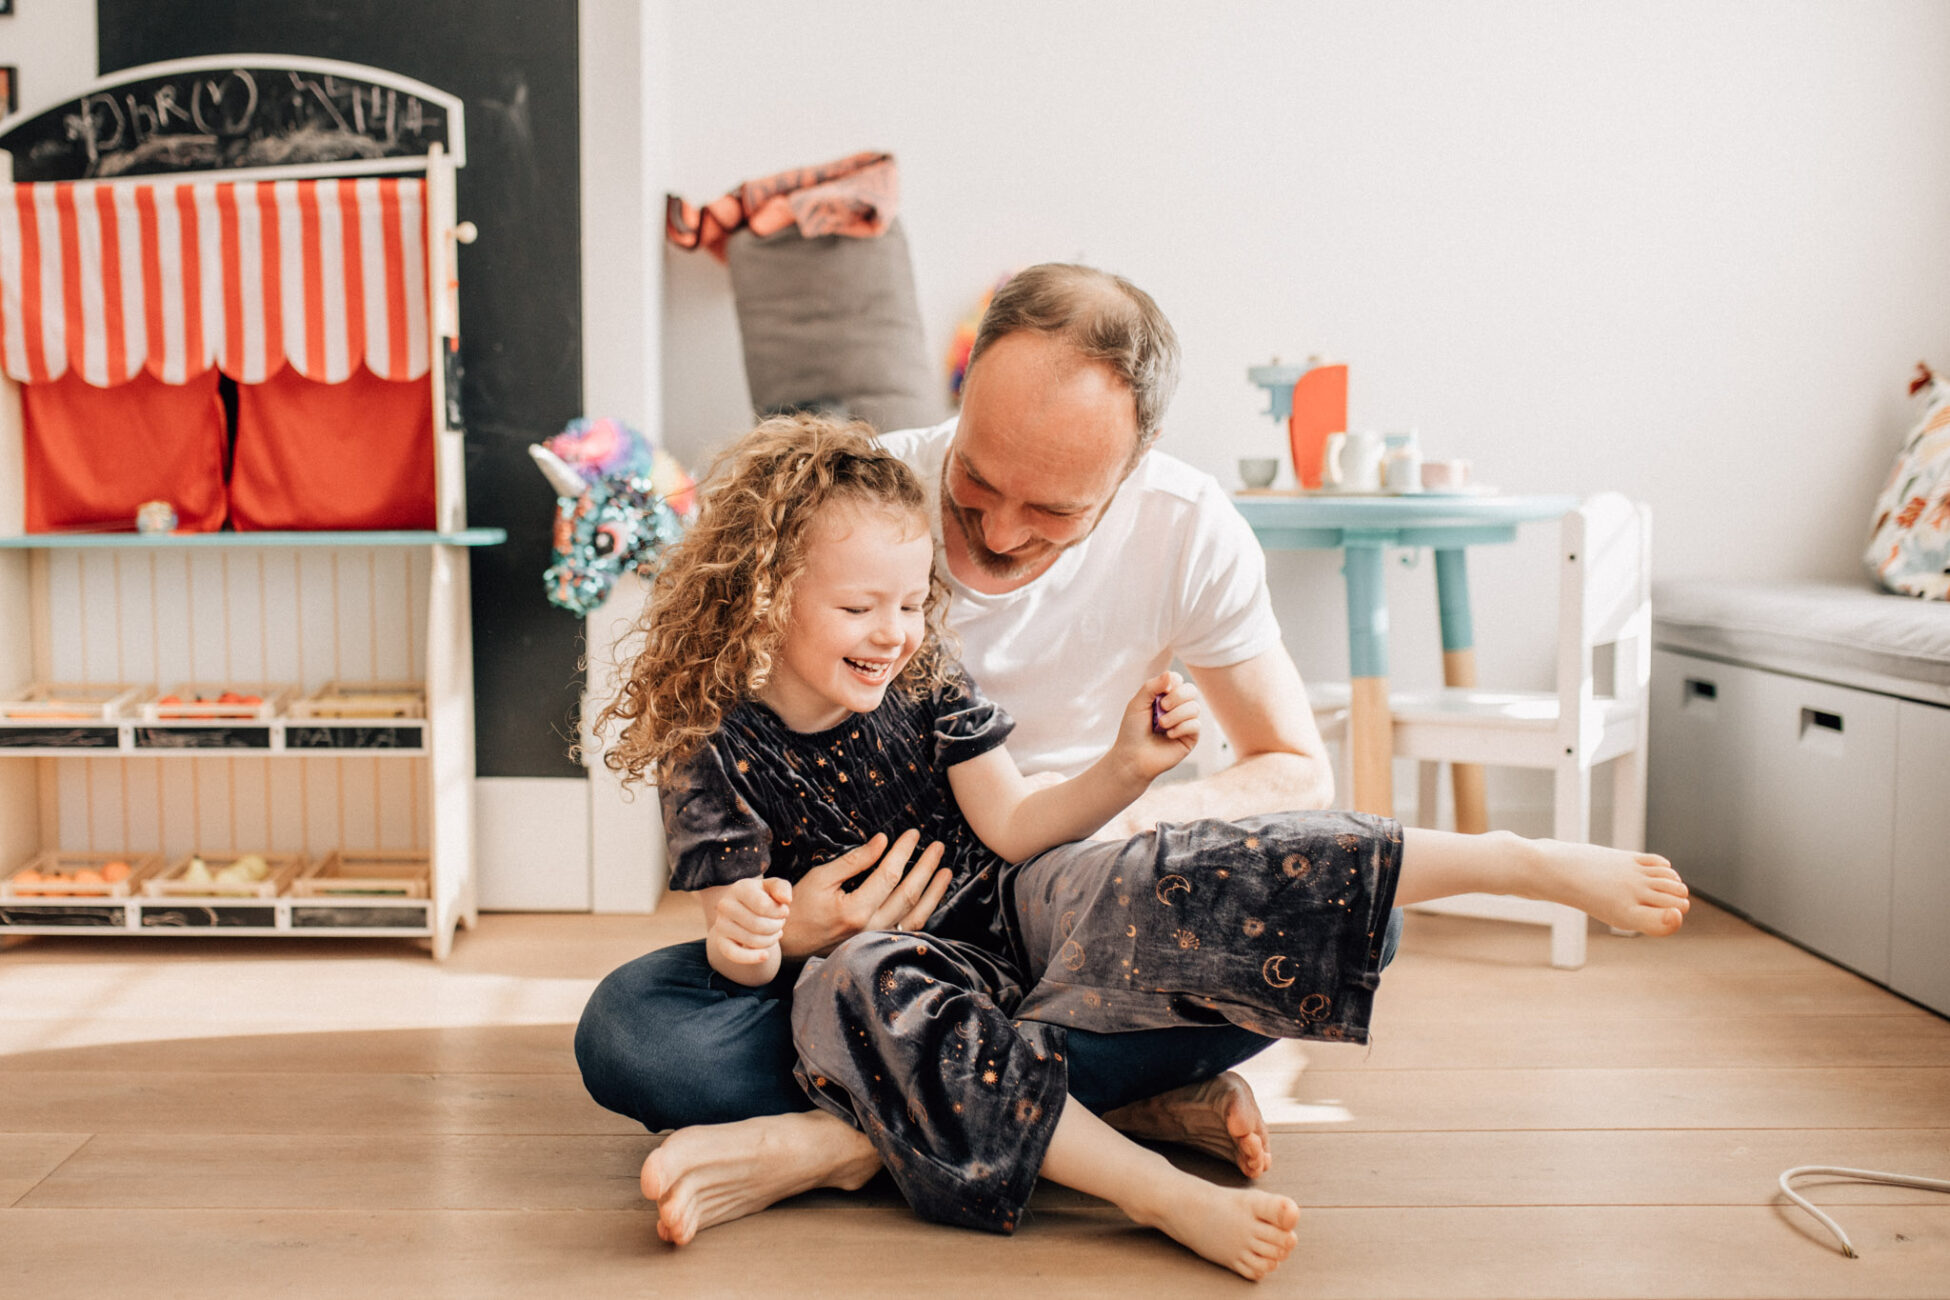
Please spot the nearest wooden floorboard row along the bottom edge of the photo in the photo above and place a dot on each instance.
(1491, 1254)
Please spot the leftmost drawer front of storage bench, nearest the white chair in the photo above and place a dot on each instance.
(1699, 771)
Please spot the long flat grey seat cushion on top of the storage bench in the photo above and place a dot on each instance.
(1840, 632)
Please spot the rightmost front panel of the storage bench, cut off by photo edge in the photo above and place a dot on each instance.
(1920, 907)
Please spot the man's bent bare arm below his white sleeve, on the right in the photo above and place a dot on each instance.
(1280, 767)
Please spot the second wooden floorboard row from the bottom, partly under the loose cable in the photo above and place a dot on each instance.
(1321, 1170)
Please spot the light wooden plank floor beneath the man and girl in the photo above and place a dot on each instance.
(350, 1120)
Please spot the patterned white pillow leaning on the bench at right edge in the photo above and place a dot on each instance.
(1910, 545)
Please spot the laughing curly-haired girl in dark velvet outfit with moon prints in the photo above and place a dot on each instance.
(795, 701)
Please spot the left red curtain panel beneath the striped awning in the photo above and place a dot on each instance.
(95, 455)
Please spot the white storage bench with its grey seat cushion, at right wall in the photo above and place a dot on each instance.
(1801, 767)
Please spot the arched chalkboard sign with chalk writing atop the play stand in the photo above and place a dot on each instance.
(215, 114)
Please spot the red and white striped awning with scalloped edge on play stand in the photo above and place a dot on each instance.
(175, 278)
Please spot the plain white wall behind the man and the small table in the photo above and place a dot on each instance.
(1682, 250)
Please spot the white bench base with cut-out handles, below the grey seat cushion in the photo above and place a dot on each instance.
(1814, 810)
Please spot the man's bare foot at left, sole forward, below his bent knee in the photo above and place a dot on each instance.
(713, 1174)
